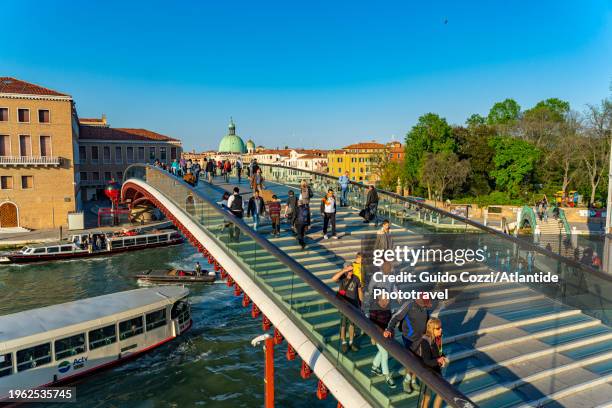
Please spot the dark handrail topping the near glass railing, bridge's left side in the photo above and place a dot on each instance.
(435, 382)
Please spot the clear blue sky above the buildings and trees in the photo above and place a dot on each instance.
(306, 74)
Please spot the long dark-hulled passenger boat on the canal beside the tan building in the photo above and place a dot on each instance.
(93, 244)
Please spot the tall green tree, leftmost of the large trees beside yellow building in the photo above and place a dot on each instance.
(431, 134)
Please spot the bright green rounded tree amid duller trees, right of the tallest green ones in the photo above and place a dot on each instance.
(514, 162)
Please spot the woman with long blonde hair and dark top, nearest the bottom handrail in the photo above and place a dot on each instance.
(429, 348)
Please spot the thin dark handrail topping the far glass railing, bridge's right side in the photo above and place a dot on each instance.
(509, 238)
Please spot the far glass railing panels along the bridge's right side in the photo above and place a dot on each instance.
(579, 286)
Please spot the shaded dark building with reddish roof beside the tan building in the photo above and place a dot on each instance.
(105, 152)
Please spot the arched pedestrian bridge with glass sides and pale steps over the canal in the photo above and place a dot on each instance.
(509, 344)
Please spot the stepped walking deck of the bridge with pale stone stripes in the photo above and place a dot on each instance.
(508, 344)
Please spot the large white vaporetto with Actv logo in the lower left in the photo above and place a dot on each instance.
(55, 344)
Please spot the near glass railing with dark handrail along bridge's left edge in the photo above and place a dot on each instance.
(313, 306)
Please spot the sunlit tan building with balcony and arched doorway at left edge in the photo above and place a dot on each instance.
(38, 133)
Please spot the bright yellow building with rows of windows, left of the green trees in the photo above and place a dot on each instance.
(358, 159)
